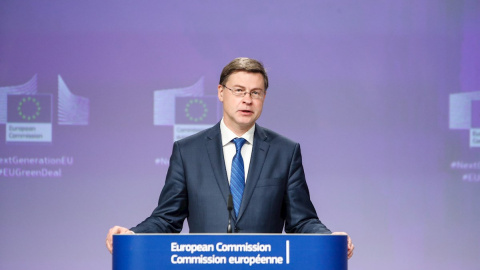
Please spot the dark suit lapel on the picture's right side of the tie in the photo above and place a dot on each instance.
(259, 153)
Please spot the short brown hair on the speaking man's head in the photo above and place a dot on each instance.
(244, 64)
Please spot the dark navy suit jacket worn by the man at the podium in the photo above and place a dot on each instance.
(196, 188)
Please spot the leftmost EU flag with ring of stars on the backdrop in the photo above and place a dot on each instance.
(29, 108)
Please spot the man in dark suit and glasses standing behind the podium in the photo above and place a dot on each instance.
(261, 169)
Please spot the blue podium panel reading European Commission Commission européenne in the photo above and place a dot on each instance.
(230, 251)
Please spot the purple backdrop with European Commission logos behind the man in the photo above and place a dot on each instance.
(383, 96)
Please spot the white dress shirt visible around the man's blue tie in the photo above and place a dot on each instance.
(229, 149)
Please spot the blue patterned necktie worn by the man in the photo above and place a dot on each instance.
(237, 179)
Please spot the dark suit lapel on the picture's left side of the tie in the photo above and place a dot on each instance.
(217, 161)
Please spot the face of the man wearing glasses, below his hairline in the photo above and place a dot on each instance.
(241, 112)
